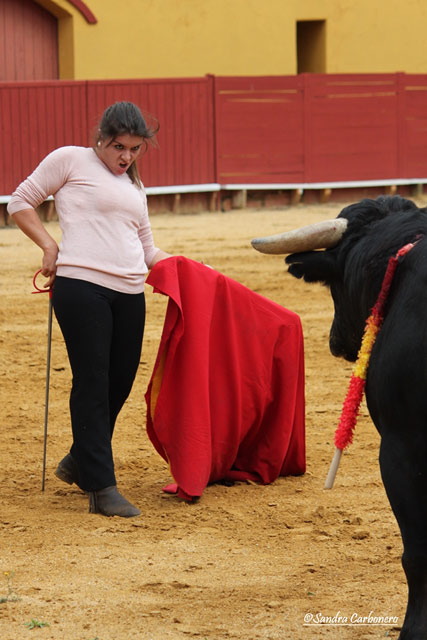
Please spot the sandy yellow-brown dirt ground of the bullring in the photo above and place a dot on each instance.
(246, 562)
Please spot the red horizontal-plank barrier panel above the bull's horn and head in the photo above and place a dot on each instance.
(351, 127)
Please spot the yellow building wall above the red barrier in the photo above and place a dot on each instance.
(179, 38)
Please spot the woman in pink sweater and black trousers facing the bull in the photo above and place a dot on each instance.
(97, 274)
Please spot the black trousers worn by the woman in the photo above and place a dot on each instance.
(103, 331)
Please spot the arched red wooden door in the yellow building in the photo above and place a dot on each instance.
(28, 42)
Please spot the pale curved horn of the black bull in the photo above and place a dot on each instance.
(321, 235)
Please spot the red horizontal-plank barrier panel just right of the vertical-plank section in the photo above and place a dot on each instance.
(259, 129)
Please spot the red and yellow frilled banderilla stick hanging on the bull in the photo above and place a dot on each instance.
(353, 399)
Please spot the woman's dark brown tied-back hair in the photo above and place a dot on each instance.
(125, 117)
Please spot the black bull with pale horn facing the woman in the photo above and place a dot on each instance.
(357, 246)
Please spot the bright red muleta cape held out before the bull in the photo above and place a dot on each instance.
(226, 396)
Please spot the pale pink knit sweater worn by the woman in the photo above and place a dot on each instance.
(106, 233)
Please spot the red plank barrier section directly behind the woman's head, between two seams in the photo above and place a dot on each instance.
(184, 109)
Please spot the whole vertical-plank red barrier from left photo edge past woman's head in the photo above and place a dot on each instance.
(38, 117)
